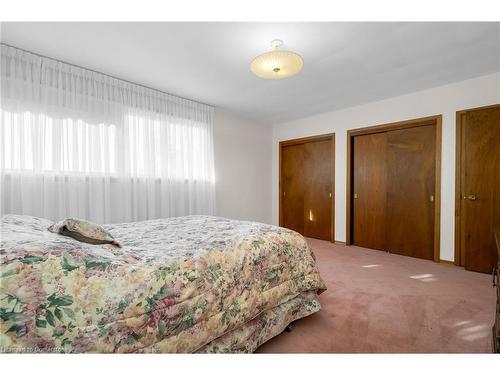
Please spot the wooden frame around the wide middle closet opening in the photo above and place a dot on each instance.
(423, 121)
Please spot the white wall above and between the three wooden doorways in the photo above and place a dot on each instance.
(445, 100)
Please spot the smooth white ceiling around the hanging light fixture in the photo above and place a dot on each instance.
(345, 63)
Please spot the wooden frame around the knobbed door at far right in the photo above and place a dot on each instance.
(459, 253)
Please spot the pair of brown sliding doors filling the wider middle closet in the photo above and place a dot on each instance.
(393, 191)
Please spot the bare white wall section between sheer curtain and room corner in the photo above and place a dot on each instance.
(242, 167)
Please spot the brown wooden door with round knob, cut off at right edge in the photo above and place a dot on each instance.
(480, 185)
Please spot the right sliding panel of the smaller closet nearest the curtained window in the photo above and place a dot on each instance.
(317, 174)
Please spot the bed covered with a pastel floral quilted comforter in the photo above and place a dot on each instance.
(180, 285)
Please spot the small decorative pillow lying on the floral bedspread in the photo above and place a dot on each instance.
(83, 231)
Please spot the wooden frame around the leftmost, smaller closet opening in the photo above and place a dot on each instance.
(298, 141)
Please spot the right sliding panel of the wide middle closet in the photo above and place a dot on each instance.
(411, 157)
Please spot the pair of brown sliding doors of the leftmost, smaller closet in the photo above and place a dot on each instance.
(306, 187)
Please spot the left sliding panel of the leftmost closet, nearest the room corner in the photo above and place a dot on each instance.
(292, 179)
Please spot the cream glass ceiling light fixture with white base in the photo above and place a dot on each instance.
(277, 64)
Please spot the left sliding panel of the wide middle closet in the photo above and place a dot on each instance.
(369, 191)
